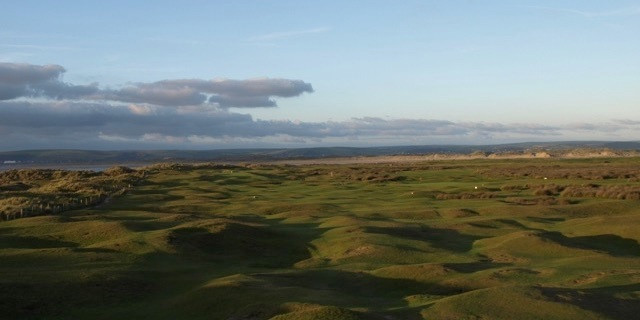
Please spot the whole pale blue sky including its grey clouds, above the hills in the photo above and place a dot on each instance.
(237, 74)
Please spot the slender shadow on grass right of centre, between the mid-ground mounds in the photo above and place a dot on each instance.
(447, 239)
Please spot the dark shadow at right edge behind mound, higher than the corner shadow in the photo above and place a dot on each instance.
(609, 243)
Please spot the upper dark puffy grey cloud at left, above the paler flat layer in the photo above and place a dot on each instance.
(26, 80)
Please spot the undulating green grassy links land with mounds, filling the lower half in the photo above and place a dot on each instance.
(464, 239)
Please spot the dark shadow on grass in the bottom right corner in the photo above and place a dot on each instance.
(602, 300)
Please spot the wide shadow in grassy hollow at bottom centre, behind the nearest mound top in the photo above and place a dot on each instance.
(261, 295)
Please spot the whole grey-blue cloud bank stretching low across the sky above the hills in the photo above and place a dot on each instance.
(38, 110)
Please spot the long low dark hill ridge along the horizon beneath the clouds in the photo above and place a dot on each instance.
(150, 156)
